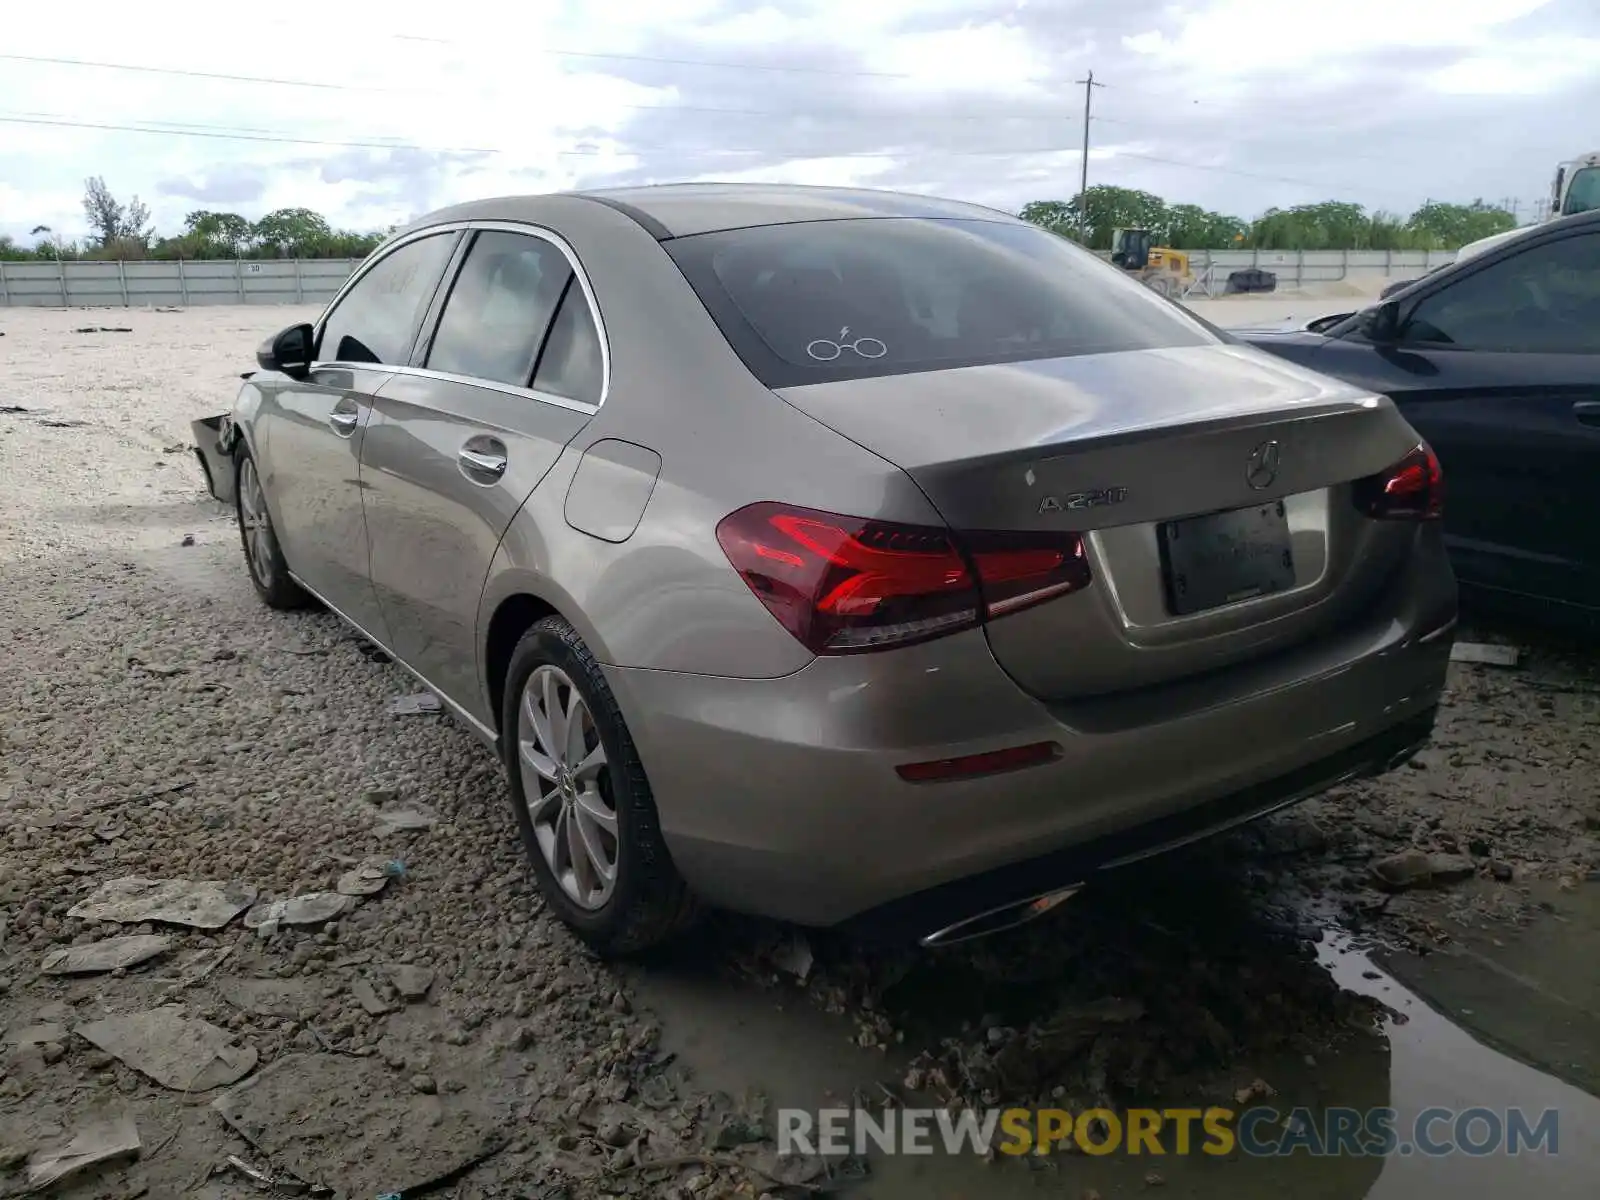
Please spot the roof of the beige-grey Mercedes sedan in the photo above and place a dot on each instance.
(684, 210)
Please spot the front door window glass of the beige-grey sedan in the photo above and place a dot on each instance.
(378, 318)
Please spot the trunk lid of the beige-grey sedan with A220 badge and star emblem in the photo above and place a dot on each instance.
(1122, 446)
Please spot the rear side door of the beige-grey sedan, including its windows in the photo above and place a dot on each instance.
(513, 369)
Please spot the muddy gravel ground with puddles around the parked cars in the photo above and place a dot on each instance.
(156, 722)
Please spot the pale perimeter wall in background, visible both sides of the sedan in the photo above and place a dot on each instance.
(316, 281)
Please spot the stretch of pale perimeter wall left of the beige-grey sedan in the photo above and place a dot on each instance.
(174, 284)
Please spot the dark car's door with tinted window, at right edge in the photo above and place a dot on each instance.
(1500, 370)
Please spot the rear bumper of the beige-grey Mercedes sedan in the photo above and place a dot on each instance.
(780, 796)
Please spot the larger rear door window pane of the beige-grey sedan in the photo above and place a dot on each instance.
(500, 308)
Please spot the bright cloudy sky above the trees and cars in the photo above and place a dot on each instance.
(375, 113)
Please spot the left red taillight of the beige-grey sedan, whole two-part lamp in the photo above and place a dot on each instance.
(844, 585)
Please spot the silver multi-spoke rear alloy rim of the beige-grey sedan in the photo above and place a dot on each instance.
(564, 780)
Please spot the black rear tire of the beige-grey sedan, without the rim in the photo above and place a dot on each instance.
(545, 644)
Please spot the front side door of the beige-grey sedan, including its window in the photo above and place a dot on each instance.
(311, 431)
